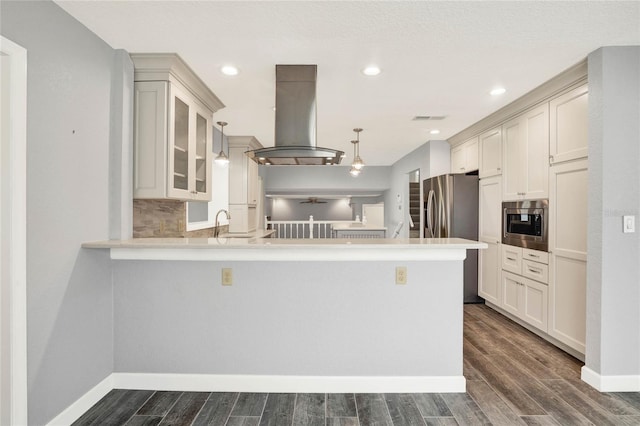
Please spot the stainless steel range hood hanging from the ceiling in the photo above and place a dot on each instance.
(295, 133)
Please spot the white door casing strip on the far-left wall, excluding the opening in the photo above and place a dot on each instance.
(17, 223)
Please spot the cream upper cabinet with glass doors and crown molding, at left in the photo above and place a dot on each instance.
(173, 114)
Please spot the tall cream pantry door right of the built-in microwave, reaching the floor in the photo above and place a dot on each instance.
(568, 247)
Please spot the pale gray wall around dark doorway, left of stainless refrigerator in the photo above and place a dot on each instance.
(432, 159)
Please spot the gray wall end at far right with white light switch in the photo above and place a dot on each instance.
(613, 274)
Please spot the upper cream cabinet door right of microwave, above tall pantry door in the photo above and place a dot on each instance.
(569, 123)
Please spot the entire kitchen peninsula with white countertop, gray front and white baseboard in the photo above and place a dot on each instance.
(322, 315)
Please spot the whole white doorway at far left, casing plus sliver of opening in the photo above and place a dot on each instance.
(13, 268)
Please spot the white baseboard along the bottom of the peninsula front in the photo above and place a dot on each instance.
(293, 384)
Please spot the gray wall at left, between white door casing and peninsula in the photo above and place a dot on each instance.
(69, 291)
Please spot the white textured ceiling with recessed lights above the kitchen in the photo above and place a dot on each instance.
(437, 58)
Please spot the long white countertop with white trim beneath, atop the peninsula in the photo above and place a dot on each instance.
(276, 249)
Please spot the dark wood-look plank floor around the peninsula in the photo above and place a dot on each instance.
(513, 378)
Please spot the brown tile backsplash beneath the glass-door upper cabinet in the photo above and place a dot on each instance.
(164, 219)
